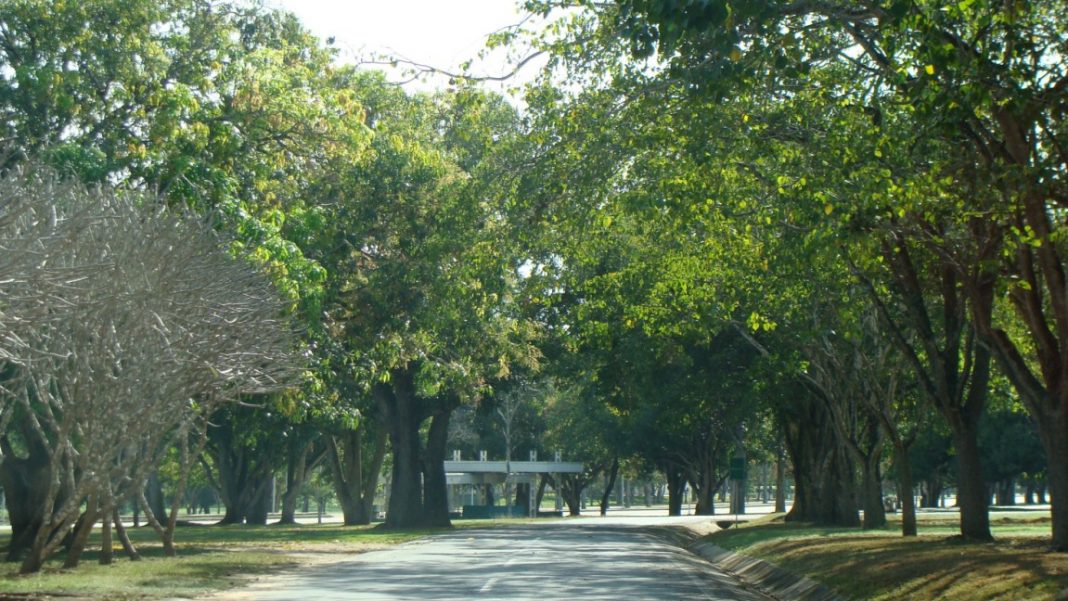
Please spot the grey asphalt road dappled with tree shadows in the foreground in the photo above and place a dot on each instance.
(540, 562)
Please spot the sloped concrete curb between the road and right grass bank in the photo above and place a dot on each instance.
(767, 578)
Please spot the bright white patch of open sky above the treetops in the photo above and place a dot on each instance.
(442, 34)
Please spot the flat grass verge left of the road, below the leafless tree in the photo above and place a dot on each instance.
(210, 559)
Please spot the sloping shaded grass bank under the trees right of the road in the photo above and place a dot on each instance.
(882, 565)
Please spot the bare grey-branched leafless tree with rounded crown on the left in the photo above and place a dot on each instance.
(123, 325)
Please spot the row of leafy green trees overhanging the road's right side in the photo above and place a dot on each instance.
(813, 177)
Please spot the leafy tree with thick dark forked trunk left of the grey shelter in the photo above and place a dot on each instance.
(419, 284)
